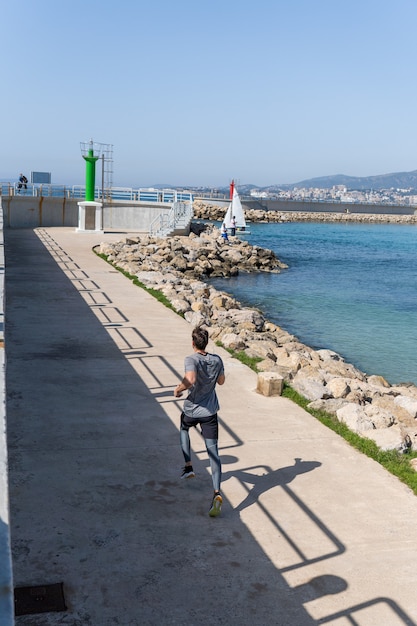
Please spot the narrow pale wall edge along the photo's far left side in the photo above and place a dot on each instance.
(6, 577)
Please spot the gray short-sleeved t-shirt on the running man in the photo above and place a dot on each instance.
(202, 398)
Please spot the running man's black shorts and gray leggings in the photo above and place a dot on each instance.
(209, 424)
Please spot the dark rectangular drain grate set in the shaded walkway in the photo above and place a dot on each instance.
(40, 599)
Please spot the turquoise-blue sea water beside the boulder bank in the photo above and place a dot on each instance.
(351, 288)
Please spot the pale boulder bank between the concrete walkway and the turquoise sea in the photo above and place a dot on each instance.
(180, 266)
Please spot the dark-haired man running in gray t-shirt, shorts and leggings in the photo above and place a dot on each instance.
(202, 372)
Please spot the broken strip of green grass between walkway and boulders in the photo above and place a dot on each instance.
(394, 462)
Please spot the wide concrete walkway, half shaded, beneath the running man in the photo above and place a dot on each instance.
(311, 531)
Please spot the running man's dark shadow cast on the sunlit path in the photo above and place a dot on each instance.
(270, 479)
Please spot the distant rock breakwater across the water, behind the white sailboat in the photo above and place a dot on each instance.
(213, 212)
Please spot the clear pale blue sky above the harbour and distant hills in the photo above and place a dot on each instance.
(197, 93)
